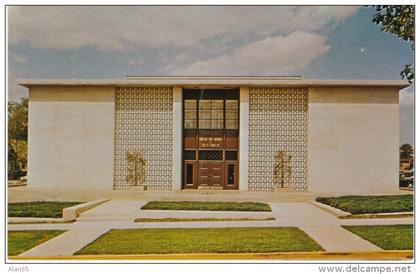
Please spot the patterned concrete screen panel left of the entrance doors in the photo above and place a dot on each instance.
(143, 128)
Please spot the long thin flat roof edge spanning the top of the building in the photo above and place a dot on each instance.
(214, 81)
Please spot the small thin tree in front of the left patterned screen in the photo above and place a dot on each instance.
(136, 165)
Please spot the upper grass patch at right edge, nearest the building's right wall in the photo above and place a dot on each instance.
(370, 204)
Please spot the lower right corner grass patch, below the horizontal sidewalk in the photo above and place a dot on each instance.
(388, 237)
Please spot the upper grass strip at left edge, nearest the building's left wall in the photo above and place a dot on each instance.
(38, 209)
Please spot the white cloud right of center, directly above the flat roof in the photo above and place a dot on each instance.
(270, 56)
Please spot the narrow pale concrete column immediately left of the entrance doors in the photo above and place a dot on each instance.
(177, 139)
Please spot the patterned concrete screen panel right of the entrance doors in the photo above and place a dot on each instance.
(278, 123)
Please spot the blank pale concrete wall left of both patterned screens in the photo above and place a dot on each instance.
(71, 137)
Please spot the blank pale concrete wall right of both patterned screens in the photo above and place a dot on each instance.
(353, 140)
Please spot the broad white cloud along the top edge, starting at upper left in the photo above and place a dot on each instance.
(131, 28)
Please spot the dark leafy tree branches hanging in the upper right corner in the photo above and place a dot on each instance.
(398, 20)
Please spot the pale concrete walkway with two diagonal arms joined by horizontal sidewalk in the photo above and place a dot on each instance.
(323, 227)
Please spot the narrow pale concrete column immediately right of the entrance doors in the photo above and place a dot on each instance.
(243, 138)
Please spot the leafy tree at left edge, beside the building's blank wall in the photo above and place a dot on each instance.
(17, 142)
